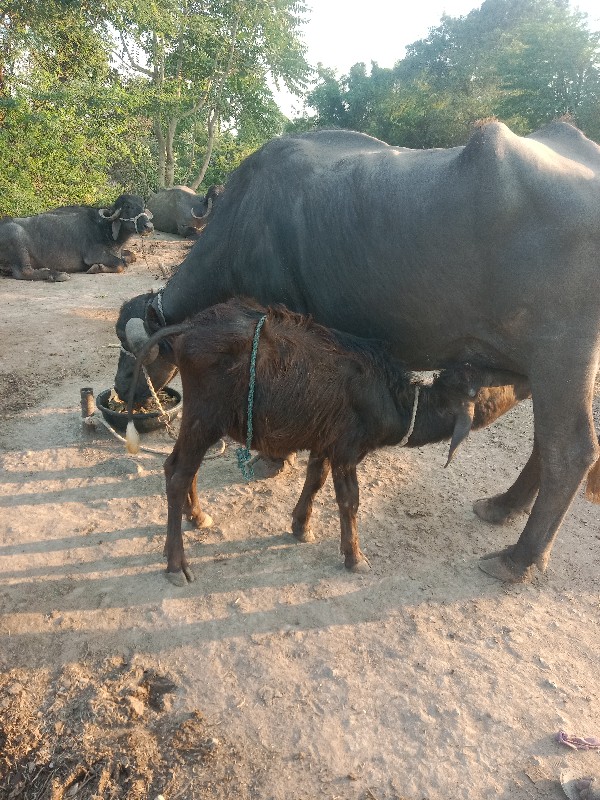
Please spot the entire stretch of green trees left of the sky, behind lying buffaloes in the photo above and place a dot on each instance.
(100, 97)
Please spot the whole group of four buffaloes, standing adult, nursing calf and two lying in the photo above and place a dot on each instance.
(358, 262)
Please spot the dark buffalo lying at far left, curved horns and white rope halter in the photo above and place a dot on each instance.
(72, 239)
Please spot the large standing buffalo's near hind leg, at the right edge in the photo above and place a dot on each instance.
(567, 447)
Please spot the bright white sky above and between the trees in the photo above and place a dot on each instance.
(340, 33)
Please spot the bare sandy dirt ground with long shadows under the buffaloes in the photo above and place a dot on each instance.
(276, 675)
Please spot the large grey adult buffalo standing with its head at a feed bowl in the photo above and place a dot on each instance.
(487, 253)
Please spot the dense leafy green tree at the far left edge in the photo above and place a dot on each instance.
(66, 123)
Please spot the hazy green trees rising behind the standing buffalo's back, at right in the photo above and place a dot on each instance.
(523, 61)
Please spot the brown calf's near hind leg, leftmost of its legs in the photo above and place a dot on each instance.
(180, 471)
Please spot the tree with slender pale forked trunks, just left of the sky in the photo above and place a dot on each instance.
(206, 65)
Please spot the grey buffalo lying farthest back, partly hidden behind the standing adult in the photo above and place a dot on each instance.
(180, 210)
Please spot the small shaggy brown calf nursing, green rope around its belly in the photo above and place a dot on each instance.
(315, 389)
